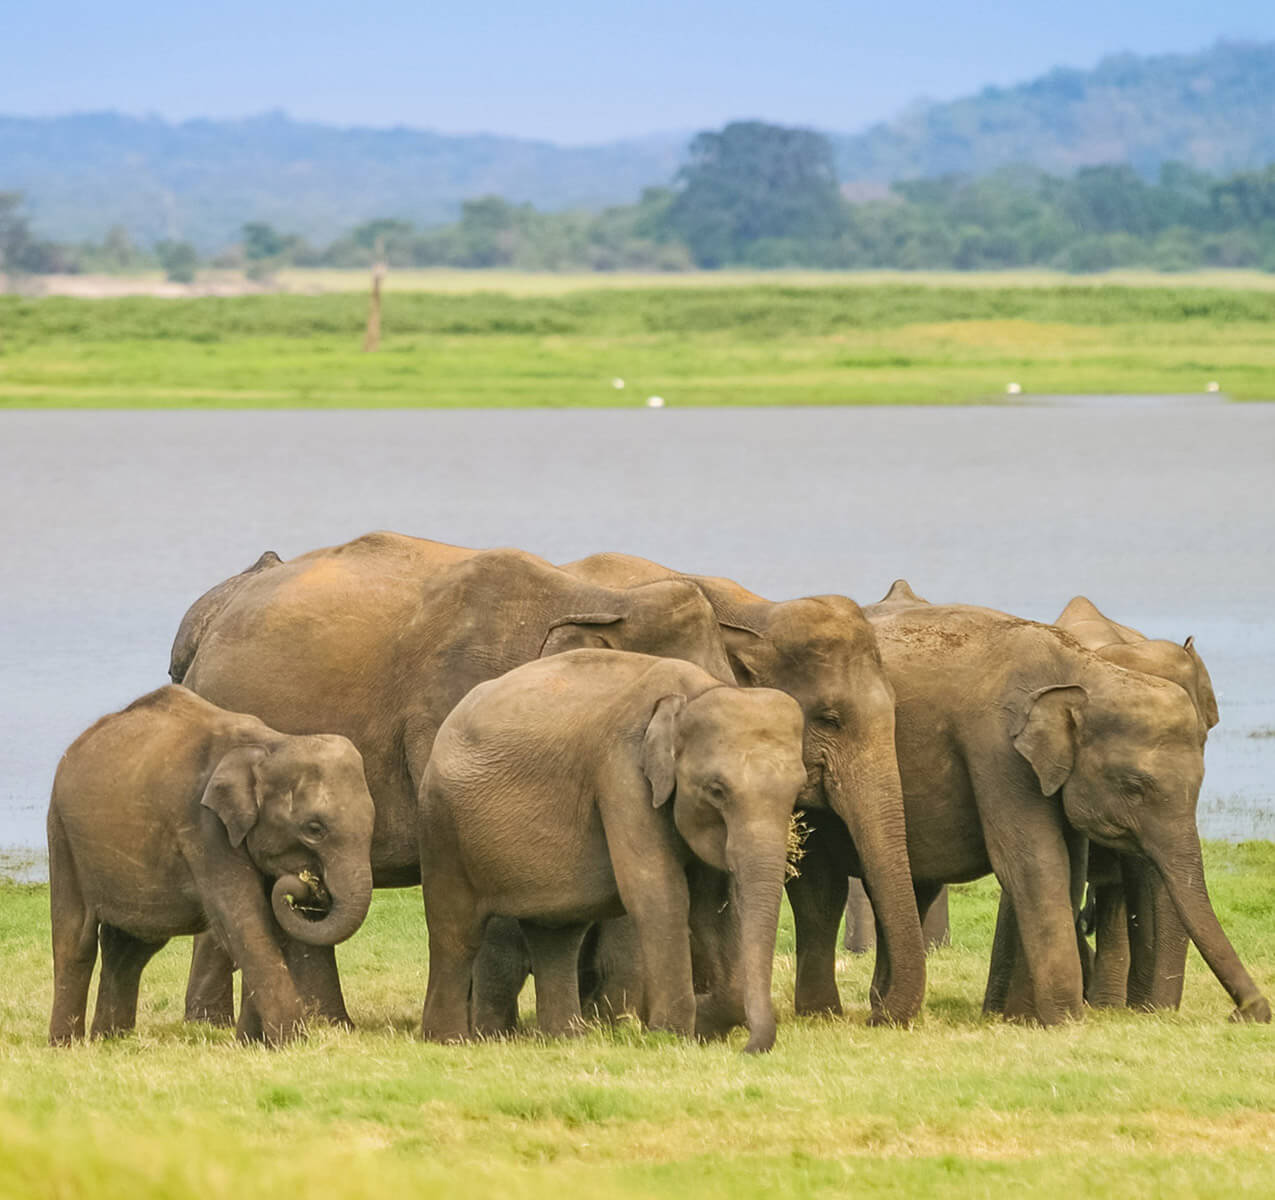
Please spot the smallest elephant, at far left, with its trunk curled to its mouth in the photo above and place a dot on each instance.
(174, 817)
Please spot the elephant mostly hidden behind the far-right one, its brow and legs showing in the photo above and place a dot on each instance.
(1142, 946)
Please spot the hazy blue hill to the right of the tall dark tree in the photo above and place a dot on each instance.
(1213, 110)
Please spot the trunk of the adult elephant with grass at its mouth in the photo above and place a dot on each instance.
(869, 798)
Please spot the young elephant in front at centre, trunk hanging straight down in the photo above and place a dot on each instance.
(548, 799)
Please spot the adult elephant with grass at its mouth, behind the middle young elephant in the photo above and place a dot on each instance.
(822, 651)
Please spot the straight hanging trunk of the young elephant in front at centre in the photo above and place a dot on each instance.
(758, 878)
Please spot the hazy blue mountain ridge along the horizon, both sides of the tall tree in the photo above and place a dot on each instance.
(201, 180)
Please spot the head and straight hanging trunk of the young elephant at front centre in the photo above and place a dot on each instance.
(731, 761)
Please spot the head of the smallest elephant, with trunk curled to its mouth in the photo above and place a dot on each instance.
(303, 813)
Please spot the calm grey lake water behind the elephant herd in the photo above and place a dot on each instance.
(114, 522)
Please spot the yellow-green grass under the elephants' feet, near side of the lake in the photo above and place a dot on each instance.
(1176, 1105)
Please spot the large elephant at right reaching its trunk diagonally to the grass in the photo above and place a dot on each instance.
(1017, 748)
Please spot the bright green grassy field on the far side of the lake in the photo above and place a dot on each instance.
(945, 341)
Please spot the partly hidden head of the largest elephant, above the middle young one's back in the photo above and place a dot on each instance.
(667, 619)
